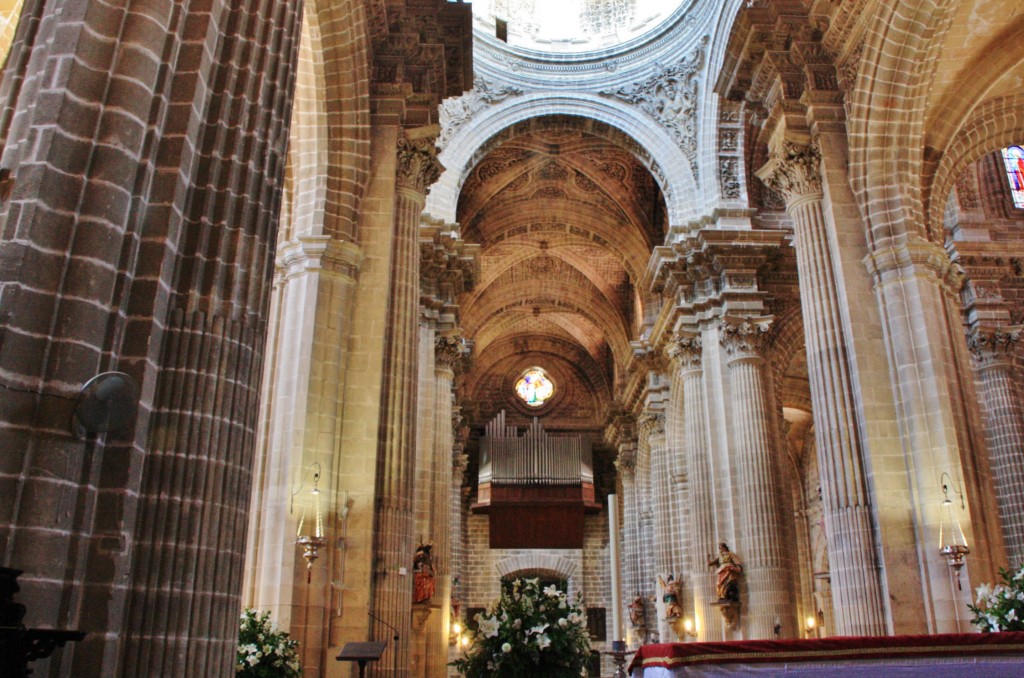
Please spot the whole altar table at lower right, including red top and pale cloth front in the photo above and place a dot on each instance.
(976, 655)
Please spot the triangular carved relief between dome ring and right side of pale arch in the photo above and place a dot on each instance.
(671, 98)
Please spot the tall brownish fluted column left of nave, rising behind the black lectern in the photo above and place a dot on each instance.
(394, 538)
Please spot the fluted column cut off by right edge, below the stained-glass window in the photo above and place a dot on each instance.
(994, 354)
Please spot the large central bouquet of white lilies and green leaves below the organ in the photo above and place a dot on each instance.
(532, 632)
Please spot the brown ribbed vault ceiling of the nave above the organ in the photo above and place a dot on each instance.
(567, 222)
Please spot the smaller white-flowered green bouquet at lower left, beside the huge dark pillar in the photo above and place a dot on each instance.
(265, 652)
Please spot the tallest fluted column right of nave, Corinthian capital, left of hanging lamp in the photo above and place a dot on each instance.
(794, 171)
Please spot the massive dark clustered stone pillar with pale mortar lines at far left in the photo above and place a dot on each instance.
(146, 148)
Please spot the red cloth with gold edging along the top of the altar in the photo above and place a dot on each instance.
(838, 649)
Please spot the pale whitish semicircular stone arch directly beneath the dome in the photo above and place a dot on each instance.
(617, 122)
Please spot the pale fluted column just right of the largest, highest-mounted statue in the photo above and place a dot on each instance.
(763, 552)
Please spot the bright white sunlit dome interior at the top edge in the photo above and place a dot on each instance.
(571, 27)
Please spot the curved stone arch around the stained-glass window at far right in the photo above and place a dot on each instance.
(993, 125)
